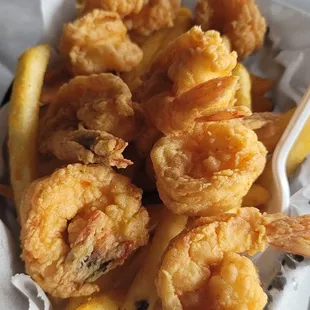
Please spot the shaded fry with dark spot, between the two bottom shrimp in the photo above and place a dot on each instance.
(142, 293)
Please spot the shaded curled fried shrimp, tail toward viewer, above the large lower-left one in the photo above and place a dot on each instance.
(89, 121)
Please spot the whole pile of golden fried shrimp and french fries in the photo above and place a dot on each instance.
(140, 158)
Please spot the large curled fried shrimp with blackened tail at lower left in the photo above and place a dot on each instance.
(78, 223)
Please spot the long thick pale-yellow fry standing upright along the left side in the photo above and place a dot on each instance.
(24, 118)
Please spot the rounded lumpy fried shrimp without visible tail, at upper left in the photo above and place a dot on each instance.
(98, 42)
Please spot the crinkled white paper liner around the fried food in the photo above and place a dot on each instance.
(286, 56)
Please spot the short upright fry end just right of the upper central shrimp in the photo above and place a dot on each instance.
(243, 94)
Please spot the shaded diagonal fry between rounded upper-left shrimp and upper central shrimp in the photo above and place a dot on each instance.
(154, 44)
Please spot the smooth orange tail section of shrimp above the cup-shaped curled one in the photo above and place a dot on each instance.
(211, 100)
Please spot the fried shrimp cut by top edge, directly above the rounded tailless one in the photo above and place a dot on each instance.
(122, 7)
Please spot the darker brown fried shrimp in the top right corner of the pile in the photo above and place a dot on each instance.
(240, 20)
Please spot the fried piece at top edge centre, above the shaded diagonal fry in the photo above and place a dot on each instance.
(157, 14)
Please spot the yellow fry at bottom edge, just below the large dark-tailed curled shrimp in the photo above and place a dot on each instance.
(104, 301)
